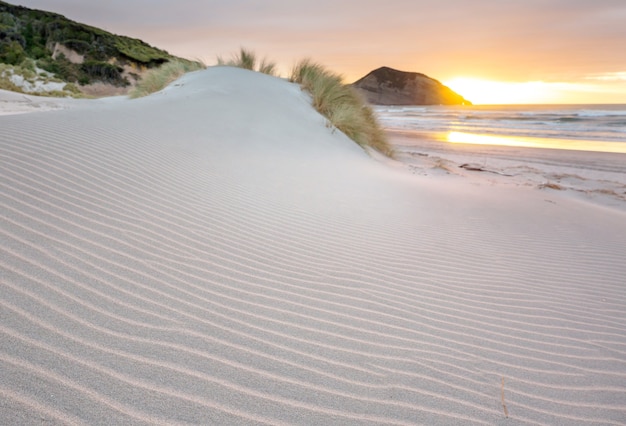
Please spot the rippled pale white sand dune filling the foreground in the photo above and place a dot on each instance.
(214, 254)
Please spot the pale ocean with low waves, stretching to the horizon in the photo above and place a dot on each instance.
(599, 128)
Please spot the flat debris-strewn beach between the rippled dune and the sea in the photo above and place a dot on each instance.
(599, 177)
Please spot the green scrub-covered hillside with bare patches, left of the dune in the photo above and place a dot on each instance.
(73, 52)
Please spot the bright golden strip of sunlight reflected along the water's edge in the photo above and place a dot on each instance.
(528, 142)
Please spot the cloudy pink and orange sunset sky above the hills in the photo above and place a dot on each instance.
(490, 51)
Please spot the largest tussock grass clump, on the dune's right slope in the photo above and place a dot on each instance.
(342, 105)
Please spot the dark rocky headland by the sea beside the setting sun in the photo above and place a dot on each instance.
(387, 86)
